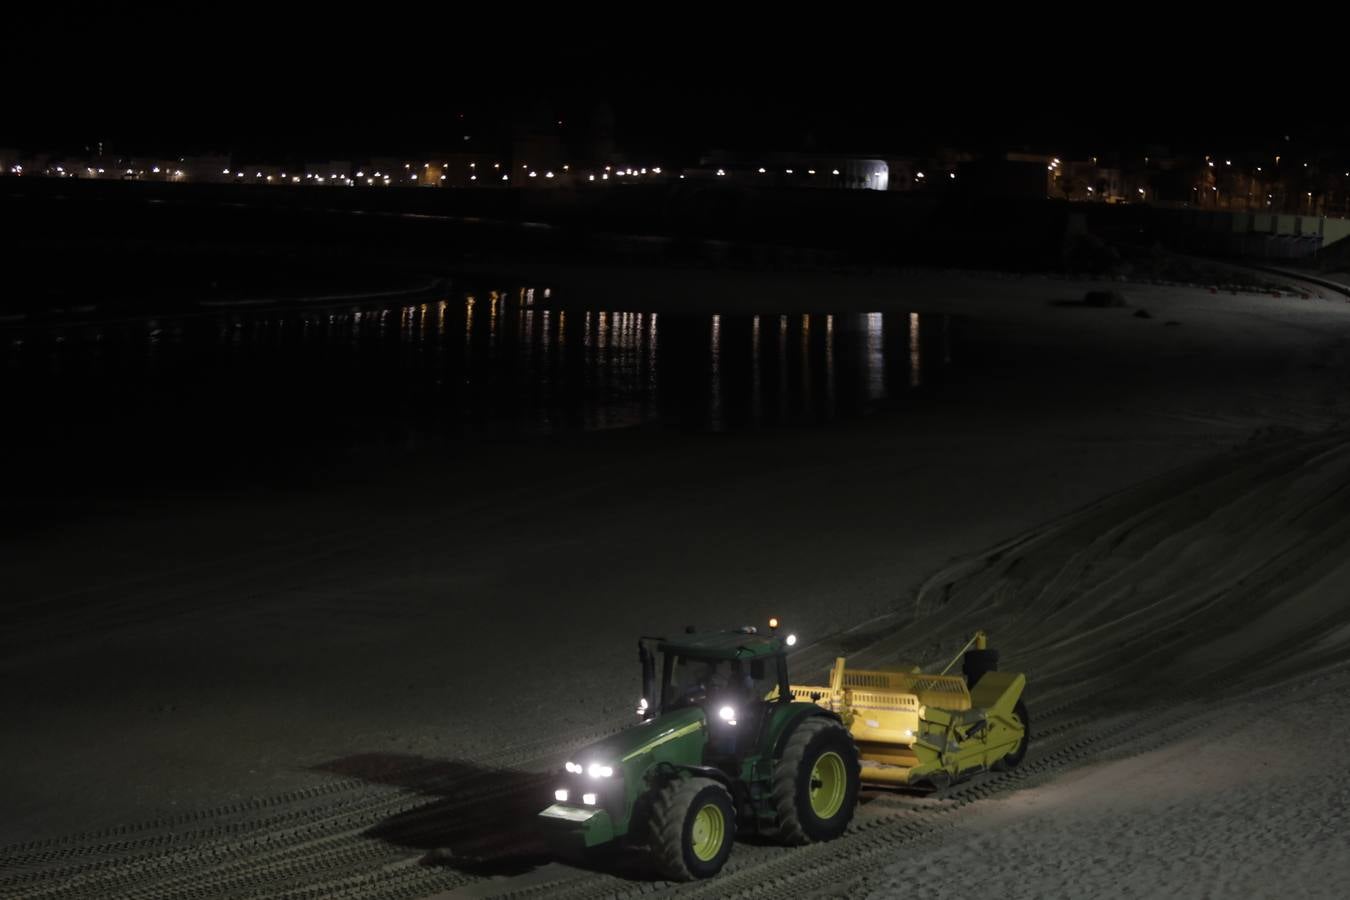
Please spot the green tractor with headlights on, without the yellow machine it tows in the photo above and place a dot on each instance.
(723, 750)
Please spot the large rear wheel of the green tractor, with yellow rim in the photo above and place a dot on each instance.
(816, 782)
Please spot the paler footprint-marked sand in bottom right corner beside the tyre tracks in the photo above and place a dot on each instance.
(1253, 809)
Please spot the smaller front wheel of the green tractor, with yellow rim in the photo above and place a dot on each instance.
(693, 826)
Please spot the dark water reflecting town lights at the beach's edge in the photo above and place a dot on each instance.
(240, 389)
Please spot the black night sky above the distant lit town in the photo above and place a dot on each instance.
(249, 82)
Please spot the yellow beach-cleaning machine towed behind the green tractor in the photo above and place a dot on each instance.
(920, 729)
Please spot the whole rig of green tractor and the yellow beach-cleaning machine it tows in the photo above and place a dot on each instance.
(730, 747)
